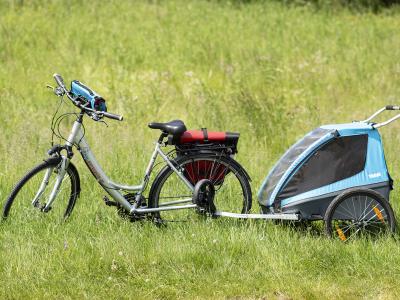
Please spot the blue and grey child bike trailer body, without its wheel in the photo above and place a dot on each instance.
(321, 165)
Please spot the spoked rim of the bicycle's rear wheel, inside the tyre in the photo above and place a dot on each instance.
(230, 190)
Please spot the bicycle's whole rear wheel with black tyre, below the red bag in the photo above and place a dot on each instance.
(233, 192)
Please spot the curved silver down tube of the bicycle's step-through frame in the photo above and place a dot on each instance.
(98, 172)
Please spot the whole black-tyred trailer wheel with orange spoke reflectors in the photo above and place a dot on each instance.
(359, 212)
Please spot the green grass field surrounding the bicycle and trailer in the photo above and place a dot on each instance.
(270, 71)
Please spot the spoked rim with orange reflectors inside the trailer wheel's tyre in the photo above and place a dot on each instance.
(359, 215)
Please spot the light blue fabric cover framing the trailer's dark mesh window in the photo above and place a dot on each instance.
(375, 170)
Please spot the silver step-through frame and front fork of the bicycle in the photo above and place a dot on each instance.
(76, 138)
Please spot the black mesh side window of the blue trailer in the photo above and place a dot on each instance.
(341, 158)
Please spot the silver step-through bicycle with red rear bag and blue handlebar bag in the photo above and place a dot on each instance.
(197, 155)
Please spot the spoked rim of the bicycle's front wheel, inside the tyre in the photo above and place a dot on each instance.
(22, 207)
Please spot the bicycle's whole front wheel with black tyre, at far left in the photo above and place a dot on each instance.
(31, 194)
